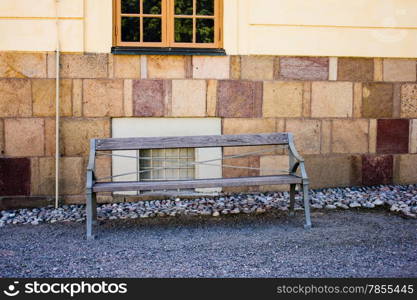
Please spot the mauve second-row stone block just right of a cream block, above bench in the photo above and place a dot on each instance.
(239, 99)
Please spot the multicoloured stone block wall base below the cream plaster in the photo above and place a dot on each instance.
(354, 119)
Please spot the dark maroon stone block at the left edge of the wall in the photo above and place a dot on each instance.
(14, 176)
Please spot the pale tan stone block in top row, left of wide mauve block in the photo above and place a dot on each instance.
(257, 67)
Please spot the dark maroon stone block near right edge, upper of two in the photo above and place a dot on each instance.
(392, 136)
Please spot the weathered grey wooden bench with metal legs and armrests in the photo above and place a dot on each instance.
(114, 144)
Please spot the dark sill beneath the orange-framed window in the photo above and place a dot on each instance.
(167, 51)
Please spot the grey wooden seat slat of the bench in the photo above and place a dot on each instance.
(195, 183)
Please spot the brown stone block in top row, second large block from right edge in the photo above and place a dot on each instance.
(355, 69)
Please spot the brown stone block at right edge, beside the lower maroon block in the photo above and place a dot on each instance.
(405, 169)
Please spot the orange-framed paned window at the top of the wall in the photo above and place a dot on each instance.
(168, 23)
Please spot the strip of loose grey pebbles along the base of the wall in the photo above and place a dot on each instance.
(401, 199)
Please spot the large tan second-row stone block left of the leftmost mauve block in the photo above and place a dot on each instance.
(103, 98)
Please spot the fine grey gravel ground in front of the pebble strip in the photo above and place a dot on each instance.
(343, 243)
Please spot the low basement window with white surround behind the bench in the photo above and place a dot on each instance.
(131, 164)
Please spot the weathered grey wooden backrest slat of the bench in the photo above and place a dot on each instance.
(201, 141)
